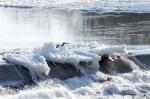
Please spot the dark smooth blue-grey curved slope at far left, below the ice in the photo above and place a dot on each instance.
(14, 75)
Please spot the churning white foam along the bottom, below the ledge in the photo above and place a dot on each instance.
(85, 87)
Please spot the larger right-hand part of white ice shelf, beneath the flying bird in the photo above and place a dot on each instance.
(79, 54)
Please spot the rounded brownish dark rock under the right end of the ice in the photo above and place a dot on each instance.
(120, 65)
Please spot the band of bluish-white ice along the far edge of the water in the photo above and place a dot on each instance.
(99, 6)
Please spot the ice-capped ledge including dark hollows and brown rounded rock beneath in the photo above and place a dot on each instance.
(69, 60)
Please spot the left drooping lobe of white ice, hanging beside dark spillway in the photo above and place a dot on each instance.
(36, 64)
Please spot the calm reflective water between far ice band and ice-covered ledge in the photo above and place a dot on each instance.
(26, 27)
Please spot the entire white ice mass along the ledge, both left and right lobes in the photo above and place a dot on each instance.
(81, 55)
